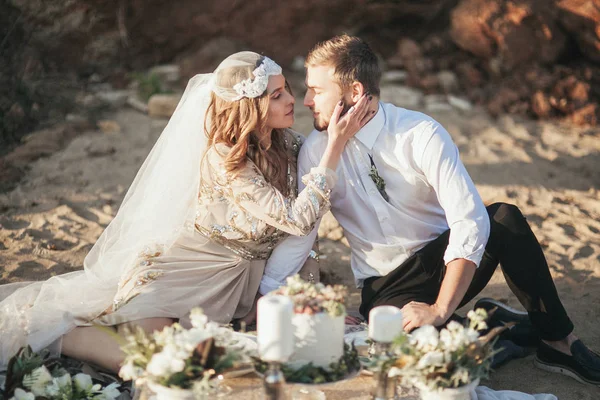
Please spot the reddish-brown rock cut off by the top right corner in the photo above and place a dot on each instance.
(582, 20)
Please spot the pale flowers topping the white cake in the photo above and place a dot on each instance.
(313, 298)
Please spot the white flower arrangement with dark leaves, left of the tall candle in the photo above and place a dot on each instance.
(180, 358)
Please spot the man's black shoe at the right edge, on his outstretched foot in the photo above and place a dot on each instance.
(583, 365)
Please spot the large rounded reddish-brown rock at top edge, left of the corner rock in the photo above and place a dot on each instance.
(515, 33)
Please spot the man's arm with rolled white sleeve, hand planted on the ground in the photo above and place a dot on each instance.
(439, 160)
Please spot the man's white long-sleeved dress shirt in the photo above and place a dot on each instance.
(429, 191)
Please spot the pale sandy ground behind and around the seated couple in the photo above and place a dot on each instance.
(551, 171)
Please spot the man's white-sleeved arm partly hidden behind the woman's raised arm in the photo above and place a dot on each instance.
(289, 256)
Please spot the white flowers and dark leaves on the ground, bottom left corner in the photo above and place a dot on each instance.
(33, 376)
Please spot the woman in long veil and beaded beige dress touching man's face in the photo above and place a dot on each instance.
(215, 195)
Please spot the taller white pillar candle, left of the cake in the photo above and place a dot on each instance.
(274, 328)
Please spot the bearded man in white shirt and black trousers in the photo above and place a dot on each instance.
(420, 236)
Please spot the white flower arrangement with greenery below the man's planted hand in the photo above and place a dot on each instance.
(453, 357)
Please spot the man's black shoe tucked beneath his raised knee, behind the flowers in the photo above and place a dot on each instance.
(523, 333)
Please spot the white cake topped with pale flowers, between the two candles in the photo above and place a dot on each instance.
(318, 322)
